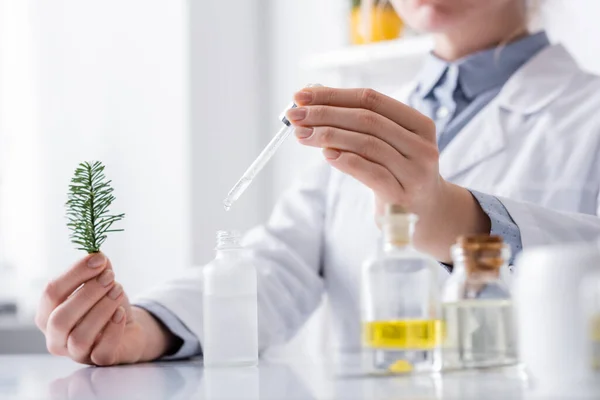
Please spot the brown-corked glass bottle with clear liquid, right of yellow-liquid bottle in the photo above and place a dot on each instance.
(478, 315)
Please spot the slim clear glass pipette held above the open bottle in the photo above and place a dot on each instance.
(262, 159)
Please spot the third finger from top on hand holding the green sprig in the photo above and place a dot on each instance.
(82, 338)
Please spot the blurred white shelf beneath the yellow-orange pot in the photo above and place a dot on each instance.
(360, 56)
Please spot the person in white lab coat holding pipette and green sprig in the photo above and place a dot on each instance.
(516, 138)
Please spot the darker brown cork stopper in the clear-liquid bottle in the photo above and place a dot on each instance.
(482, 253)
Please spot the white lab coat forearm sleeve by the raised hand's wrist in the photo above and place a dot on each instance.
(542, 226)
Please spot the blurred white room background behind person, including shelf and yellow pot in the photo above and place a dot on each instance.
(177, 97)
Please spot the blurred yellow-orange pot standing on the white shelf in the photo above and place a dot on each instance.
(385, 24)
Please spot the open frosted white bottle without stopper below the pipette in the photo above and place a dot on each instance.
(230, 306)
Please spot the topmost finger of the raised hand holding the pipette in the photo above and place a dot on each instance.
(369, 99)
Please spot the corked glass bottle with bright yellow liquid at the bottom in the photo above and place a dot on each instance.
(400, 305)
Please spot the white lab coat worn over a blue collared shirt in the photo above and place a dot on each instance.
(536, 146)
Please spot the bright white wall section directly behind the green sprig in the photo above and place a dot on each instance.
(109, 81)
